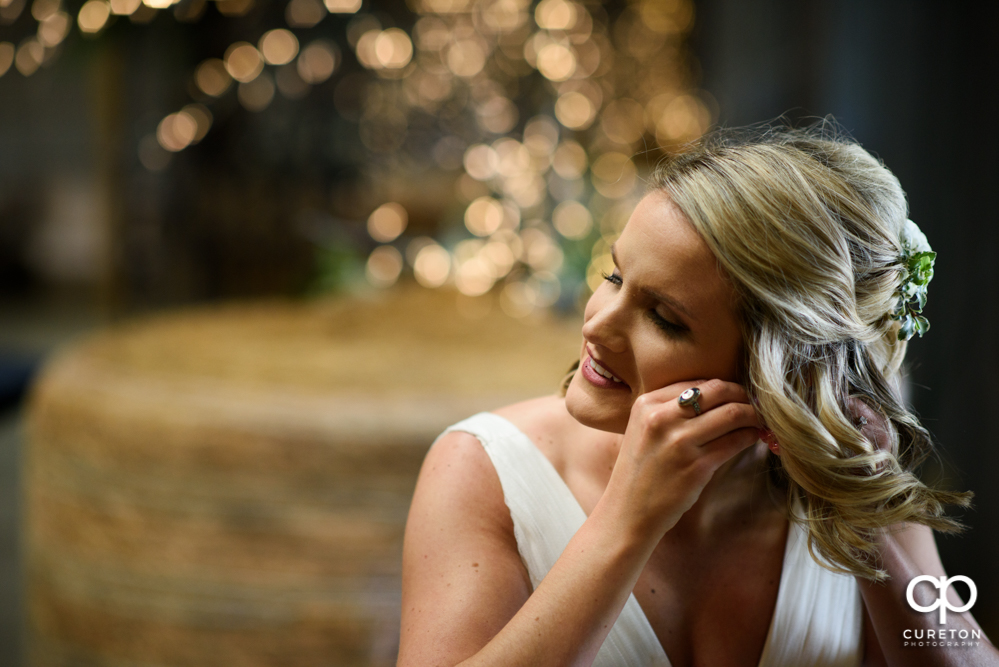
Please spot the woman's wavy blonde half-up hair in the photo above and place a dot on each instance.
(806, 224)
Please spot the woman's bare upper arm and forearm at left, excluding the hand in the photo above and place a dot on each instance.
(466, 595)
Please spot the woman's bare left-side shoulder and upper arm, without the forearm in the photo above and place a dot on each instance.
(462, 575)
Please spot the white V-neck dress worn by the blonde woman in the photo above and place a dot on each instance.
(817, 620)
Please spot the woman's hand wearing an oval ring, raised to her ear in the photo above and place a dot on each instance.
(669, 454)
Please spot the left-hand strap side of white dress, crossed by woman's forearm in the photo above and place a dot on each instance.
(545, 516)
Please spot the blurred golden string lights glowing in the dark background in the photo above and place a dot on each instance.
(615, 86)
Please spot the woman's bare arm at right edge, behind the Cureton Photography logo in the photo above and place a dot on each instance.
(909, 552)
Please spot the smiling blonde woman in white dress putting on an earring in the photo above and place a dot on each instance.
(727, 476)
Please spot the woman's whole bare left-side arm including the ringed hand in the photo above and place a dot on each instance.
(466, 598)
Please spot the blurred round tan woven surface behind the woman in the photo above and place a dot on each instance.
(229, 485)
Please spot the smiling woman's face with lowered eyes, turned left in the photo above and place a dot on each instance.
(665, 315)
